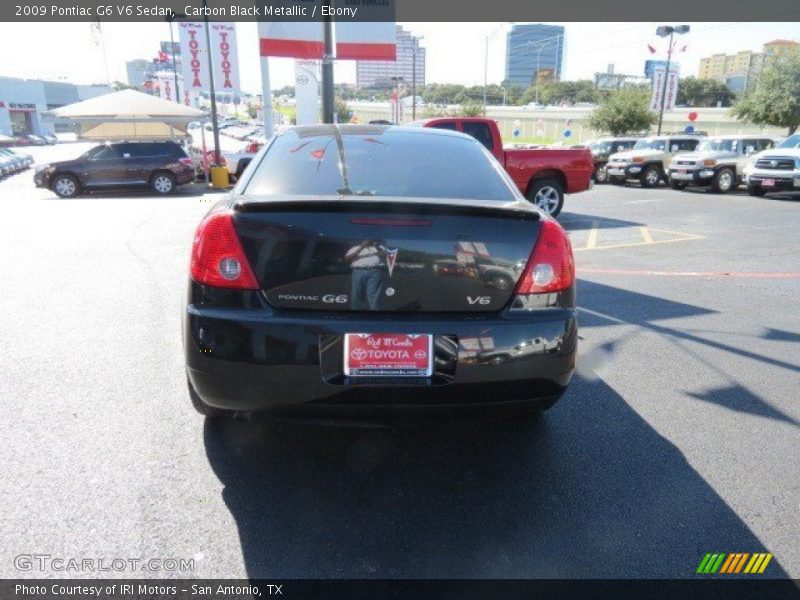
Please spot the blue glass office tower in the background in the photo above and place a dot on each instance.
(532, 51)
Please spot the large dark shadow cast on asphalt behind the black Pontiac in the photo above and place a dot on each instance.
(590, 490)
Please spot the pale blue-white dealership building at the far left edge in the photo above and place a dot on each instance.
(24, 102)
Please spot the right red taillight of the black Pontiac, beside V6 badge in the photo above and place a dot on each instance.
(551, 267)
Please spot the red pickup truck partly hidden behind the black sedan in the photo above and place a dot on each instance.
(542, 174)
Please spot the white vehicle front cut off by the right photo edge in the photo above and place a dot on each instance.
(776, 170)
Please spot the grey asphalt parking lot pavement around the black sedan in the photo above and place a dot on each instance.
(678, 436)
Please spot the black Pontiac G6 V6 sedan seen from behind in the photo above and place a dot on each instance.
(362, 270)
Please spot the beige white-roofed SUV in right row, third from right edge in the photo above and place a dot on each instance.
(648, 161)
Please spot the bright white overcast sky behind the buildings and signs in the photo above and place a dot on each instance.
(455, 51)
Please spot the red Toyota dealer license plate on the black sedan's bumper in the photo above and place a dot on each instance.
(388, 355)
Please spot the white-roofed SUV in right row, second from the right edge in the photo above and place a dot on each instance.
(717, 162)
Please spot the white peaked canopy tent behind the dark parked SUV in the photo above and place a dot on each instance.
(129, 115)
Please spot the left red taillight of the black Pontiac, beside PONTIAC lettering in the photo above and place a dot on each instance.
(217, 256)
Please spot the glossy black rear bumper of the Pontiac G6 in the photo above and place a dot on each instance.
(271, 361)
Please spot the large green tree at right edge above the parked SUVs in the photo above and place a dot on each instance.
(776, 99)
